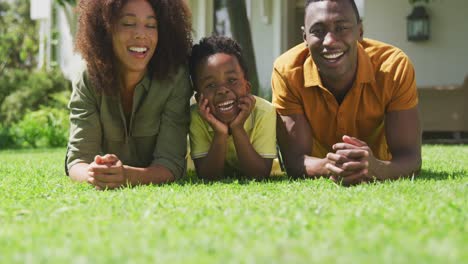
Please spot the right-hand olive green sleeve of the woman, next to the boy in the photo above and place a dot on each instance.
(171, 144)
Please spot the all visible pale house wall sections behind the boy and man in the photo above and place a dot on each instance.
(440, 61)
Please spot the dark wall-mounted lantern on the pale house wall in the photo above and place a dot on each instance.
(418, 24)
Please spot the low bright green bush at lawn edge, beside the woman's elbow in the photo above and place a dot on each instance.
(47, 127)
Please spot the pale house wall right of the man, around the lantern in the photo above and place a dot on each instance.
(442, 60)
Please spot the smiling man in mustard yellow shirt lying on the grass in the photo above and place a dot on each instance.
(347, 105)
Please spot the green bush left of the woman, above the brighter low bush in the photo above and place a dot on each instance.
(28, 91)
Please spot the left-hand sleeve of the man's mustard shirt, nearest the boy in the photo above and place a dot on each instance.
(284, 99)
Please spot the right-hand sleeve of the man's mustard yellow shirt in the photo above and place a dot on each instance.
(404, 93)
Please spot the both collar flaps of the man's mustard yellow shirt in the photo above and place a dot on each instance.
(365, 72)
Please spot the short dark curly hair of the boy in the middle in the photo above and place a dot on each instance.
(211, 45)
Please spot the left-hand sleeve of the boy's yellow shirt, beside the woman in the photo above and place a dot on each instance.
(200, 140)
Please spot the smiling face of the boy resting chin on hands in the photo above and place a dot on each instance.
(221, 80)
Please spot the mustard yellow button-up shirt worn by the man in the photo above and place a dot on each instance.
(385, 82)
